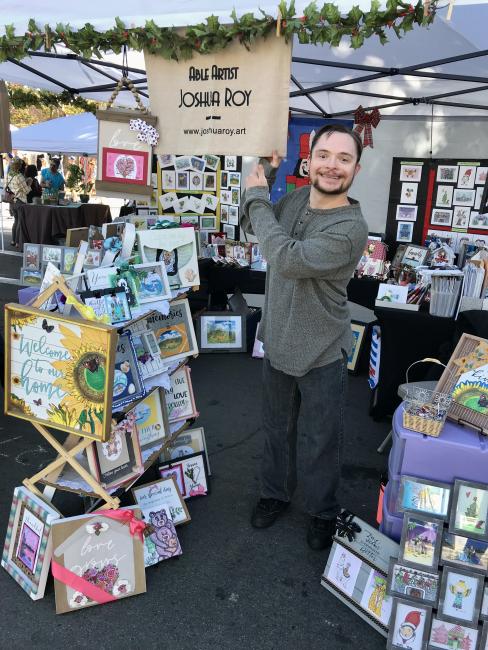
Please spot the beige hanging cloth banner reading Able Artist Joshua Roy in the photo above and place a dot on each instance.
(232, 102)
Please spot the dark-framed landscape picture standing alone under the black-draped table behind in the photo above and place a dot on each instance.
(221, 332)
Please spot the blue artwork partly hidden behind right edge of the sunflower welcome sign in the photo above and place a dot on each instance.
(128, 384)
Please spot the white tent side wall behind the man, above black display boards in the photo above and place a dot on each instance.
(464, 139)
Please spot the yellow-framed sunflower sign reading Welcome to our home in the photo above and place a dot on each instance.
(59, 371)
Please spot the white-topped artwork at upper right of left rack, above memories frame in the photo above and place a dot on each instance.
(176, 248)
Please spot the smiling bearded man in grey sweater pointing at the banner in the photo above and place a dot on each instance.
(312, 240)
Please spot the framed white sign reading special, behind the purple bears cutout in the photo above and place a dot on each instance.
(150, 496)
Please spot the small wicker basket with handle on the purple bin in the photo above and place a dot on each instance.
(424, 410)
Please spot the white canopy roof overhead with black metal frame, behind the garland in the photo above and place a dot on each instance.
(442, 66)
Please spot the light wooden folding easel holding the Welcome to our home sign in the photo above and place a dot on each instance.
(73, 444)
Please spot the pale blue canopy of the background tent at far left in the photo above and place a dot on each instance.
(73, 134)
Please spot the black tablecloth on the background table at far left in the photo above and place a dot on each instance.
(45, 224)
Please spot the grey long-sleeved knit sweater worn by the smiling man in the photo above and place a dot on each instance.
(311, 257)
